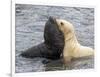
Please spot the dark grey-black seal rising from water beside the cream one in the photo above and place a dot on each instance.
(53, 43)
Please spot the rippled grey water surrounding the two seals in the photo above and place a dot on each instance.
(30, 22)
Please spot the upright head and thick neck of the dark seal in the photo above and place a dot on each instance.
(53, 36)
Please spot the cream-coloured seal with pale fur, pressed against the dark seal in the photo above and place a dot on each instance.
(72, 48)
